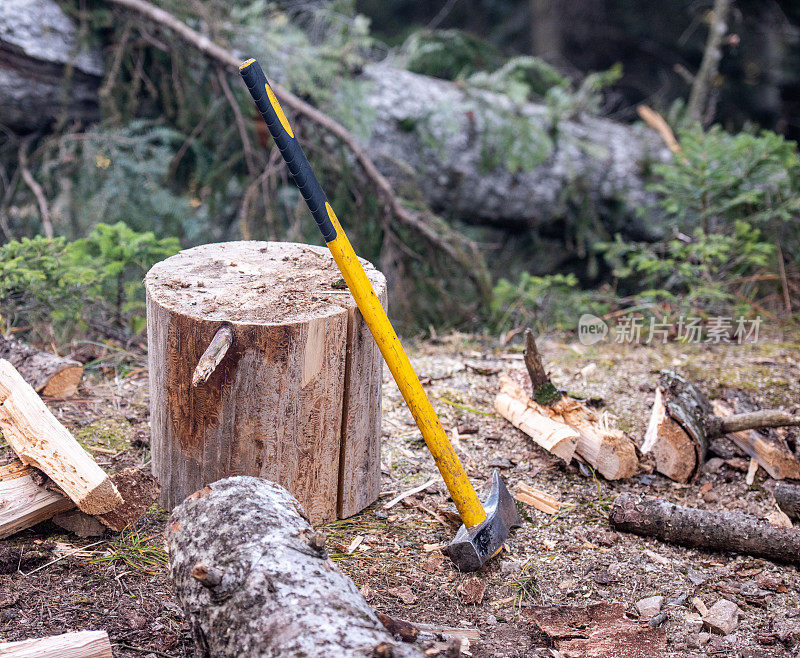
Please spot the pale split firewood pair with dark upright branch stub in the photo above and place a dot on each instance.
(563, 425)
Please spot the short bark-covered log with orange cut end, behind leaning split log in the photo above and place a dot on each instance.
(47, 373)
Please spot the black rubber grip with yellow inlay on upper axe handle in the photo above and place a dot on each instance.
(290, 149)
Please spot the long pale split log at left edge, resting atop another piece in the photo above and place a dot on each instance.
(39, 440)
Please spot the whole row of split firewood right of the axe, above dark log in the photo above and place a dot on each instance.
(684, 424)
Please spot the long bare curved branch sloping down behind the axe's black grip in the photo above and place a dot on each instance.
(436, 231)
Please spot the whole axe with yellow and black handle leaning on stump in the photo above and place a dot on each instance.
(485, 527)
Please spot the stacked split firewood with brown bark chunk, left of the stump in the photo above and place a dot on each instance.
(54, 474)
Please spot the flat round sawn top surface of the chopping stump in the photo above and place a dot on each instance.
(272, 282)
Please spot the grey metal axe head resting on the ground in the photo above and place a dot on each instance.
(472, 547)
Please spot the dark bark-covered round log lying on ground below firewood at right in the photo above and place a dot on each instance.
(715, 531)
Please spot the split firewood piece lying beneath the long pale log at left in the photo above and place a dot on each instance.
(23, 502)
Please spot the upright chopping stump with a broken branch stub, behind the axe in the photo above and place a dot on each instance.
(289, 386)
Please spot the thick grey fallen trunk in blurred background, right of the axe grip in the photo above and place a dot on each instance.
(436, 134)
